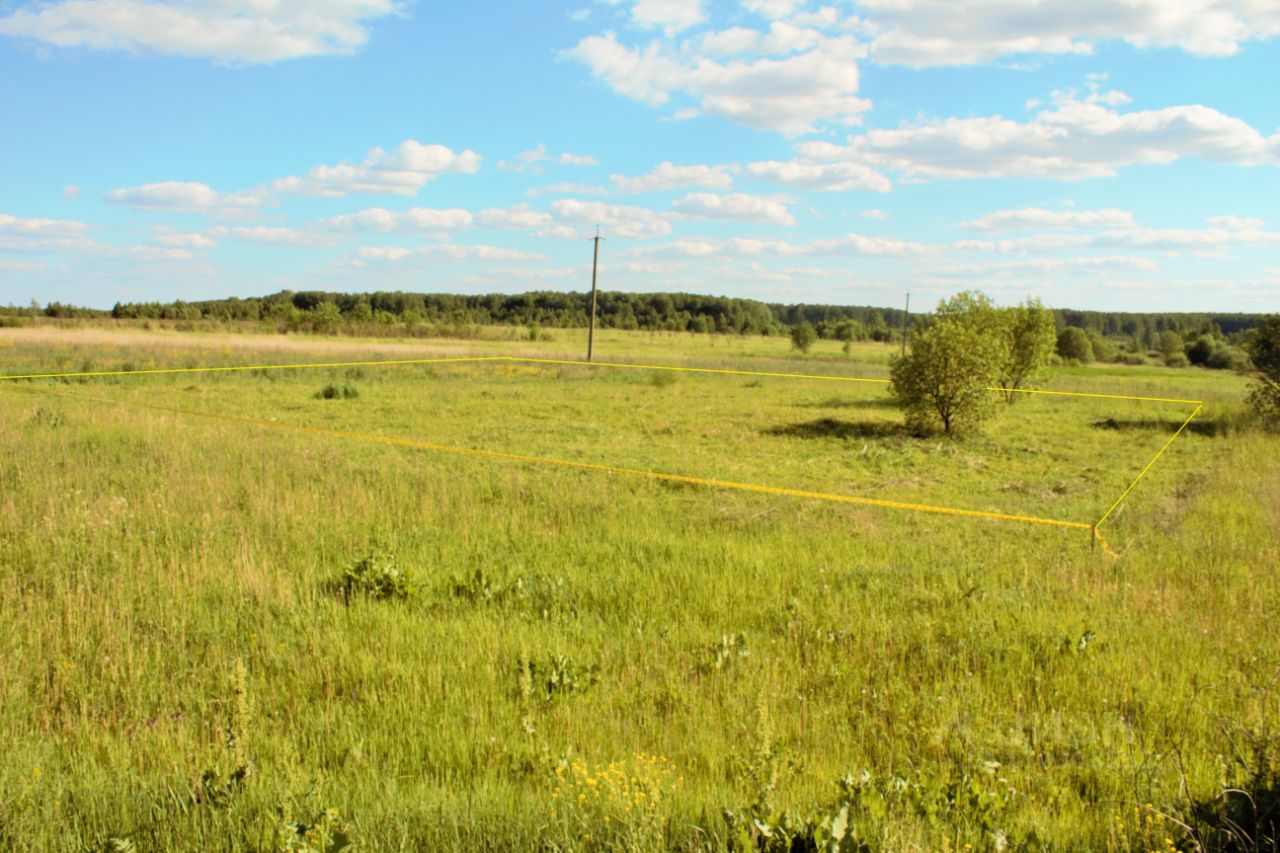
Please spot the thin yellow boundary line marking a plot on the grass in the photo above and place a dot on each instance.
(629, 472)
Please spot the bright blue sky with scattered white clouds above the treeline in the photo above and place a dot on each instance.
(1089, 153)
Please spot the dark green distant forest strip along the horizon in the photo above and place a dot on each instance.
(321, 312)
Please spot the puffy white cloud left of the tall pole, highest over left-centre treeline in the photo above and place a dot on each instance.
(403, 172)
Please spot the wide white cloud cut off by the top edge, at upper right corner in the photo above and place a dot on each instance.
(932, 33)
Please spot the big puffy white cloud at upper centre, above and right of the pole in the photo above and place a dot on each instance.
(794, 94)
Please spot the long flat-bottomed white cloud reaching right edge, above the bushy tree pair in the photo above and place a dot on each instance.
(1077, 138)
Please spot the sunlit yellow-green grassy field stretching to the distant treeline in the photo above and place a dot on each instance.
(592, 662)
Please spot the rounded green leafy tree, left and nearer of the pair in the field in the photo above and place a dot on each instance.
(947, 377)
